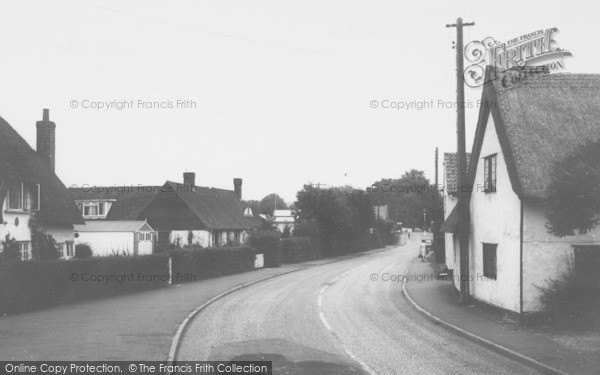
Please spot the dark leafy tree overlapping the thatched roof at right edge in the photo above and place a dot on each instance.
(574, 192)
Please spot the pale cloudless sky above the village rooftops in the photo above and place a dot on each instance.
(278, 93)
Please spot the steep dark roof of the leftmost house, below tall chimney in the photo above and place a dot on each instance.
(20, 163)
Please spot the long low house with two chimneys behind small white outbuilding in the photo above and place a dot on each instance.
(180, 213)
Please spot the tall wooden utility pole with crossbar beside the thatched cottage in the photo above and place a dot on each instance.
(463, 209)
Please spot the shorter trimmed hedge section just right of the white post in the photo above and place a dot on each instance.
(197, 263)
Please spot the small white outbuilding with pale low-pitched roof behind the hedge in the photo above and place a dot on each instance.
(117, 237)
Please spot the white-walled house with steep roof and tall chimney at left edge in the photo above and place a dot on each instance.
(31, 194)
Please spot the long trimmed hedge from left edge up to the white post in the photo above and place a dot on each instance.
(31, 285)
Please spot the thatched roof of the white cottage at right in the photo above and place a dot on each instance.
(539, 120)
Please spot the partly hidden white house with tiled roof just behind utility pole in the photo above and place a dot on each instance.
(450, 195)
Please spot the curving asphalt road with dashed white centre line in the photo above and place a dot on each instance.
(339, 318)
